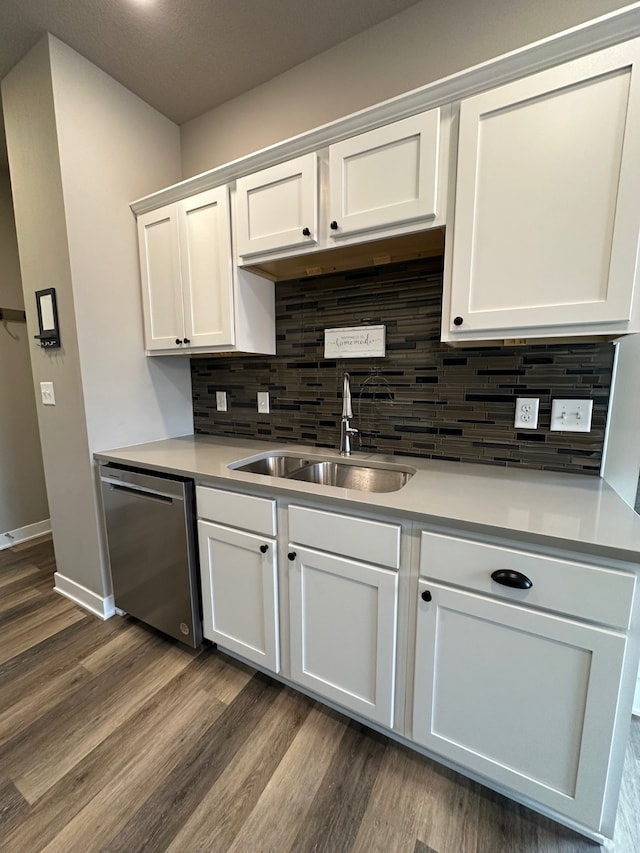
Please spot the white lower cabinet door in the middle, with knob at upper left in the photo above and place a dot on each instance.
(343, 631)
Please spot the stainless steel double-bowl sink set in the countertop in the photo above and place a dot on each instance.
(358, 475)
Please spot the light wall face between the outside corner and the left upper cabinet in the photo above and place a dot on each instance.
(114, 149)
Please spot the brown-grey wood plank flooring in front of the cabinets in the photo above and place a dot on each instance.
(113, 738)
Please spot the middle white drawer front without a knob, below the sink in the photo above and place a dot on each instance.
(360, 538)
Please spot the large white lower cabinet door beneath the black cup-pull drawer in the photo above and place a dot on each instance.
(525, 699)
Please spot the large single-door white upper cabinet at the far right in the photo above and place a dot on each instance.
(547, 209)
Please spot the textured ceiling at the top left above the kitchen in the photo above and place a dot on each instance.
(185, 57)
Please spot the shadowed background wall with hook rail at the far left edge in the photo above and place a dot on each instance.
(23, 498)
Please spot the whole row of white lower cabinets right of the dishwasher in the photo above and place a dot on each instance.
(523, 660)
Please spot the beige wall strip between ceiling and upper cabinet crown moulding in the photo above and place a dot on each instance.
(426, 42)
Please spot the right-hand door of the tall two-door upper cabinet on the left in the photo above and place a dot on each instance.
(206, 267)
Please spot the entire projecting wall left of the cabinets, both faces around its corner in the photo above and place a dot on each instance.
(81, 147)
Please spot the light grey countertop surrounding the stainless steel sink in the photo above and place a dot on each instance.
(570, 511)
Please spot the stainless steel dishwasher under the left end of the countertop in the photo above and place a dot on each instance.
(151, 539)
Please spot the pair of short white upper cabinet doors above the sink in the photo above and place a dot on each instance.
(382, 183)
